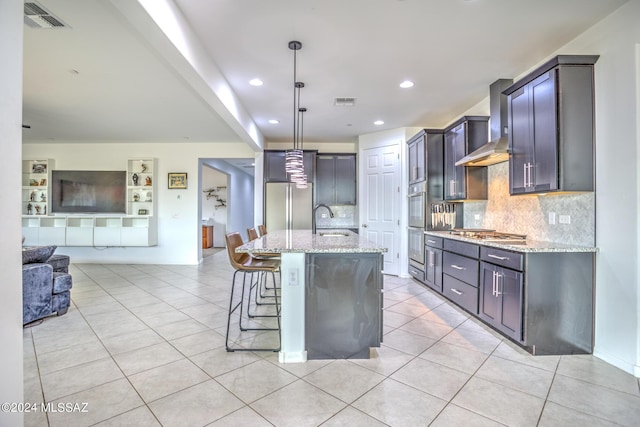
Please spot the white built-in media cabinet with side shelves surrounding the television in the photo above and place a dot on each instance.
(138, 227)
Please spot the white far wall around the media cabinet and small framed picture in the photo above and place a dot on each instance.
(179, 225)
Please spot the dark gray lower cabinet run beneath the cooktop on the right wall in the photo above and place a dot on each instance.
(541, 300)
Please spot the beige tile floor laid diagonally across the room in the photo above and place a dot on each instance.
(143, 345)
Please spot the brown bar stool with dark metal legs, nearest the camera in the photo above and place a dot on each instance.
(246, 264)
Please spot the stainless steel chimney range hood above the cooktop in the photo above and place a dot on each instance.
(496, 150)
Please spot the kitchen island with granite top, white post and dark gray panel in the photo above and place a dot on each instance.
(331, 293)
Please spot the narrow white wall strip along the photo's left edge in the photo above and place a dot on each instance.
(11, 385)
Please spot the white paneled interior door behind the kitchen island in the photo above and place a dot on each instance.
(381, 205)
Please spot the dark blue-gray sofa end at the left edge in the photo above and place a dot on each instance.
(46, 283)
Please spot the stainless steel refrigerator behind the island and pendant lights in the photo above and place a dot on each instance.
(280, 212)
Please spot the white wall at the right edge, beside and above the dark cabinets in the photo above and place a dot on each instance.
(617, 81)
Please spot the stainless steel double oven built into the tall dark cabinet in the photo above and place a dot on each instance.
(417, 223)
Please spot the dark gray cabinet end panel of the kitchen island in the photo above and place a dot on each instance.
(343, 305)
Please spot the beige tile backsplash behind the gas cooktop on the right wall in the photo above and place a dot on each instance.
(530, 214)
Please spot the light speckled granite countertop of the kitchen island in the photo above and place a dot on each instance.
(303, 241)
